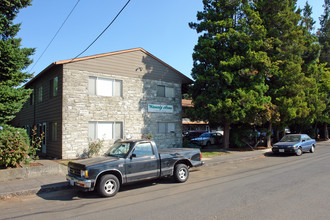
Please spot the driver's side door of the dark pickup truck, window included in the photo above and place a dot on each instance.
(142, 163)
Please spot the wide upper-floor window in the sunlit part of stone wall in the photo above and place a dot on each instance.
(104, 86)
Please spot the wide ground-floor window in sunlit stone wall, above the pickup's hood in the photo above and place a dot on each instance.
(105, 130)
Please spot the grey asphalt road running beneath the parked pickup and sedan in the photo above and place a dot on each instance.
(273, 187)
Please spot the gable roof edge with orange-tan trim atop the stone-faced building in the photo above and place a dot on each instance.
(186, 79)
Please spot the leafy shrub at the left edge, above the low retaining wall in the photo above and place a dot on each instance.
(15, 147)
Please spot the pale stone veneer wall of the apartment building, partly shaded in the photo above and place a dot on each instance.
(131, 109)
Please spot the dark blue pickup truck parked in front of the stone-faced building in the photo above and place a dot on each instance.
(131, 161)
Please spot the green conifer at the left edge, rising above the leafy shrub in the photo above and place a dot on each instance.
(13, 60)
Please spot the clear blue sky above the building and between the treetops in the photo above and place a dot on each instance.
(158, 26)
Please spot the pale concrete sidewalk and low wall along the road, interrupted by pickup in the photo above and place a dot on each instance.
(49, 179)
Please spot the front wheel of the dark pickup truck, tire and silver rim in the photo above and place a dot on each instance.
(108, 186)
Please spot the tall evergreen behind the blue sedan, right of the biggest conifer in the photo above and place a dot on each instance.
(287, 47)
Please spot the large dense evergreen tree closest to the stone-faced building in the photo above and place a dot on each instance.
(230, 66)
